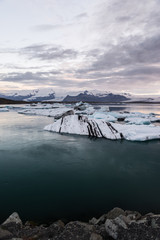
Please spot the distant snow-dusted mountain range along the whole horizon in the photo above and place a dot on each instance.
(40, 95)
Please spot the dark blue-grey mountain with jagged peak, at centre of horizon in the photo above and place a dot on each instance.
(95, 98)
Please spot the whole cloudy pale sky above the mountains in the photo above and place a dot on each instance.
(72, 45)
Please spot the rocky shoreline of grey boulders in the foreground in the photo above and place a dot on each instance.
(116, 224)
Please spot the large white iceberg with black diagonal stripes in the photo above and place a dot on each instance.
(82, 125)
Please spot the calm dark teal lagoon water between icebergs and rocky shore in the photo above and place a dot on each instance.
(47, 176)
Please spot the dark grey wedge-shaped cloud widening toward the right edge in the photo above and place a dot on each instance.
(128, 54)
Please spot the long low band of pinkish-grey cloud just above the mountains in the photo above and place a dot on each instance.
(49, 79)
